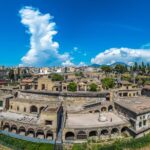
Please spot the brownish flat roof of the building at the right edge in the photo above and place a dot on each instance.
(137, 105)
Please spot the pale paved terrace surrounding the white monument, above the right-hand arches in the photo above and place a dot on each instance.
(90, 120)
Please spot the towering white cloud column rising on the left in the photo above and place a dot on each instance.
(43, 49)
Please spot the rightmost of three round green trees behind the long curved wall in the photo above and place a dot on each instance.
(108, 83)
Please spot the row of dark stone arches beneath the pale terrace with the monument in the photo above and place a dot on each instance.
(103, 133)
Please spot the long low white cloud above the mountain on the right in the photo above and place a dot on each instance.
(125, 55)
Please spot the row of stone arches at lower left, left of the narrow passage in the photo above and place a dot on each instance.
(28, 132)
